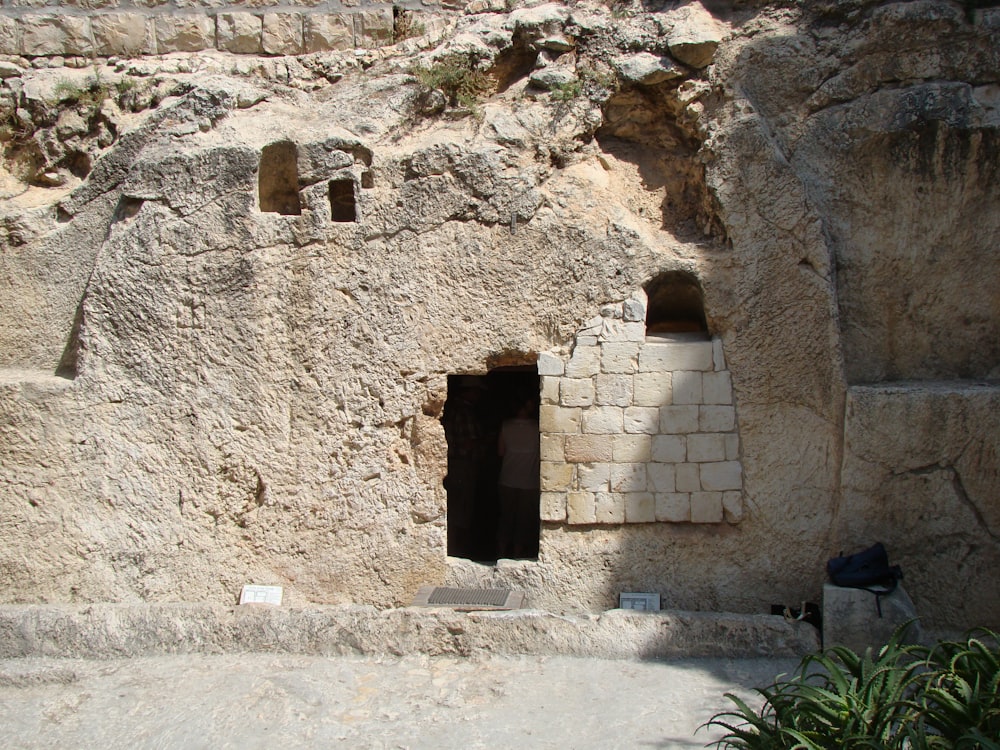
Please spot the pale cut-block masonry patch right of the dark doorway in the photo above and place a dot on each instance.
(638, 429)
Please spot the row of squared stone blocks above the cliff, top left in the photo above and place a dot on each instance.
(40, 28)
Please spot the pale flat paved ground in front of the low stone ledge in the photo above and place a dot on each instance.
(288, 701)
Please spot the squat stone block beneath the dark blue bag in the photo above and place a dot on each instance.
(851, 617)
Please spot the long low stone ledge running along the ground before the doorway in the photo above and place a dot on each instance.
(105, 631)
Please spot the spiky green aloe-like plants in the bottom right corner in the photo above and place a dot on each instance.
(913, 697)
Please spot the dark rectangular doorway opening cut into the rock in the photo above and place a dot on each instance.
(487, 521)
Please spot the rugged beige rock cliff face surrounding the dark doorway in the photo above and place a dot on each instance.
(236, 287)
